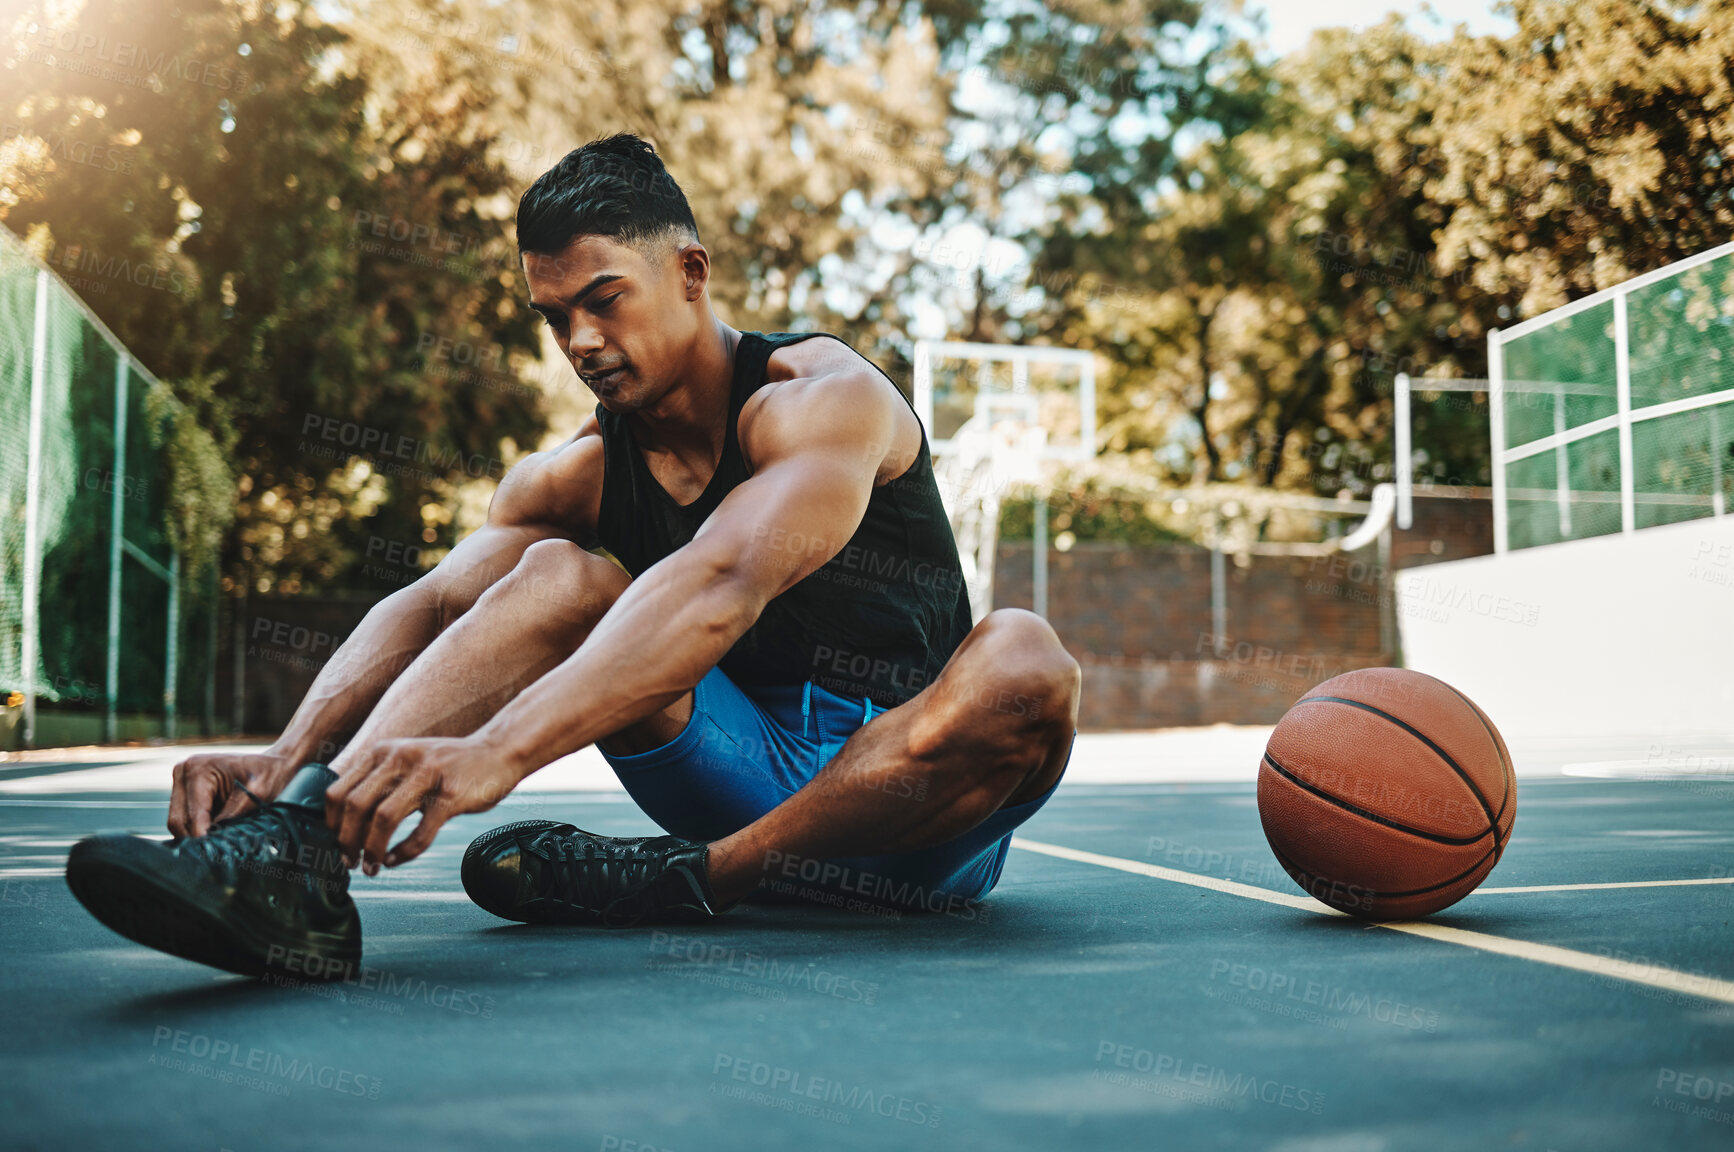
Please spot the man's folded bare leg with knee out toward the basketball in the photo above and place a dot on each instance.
(993, 731)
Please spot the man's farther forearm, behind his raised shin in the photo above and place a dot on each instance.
(389, 638)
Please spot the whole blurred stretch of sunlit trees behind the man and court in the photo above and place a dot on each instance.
(1255, 245)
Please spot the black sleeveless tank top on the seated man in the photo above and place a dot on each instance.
(878, 620)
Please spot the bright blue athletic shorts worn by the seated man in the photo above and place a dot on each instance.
(745, 752)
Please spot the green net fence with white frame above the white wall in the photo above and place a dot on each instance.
(1565, 471)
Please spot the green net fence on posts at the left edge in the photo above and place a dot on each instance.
(95, 605)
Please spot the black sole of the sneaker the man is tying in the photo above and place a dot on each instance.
(121, 887)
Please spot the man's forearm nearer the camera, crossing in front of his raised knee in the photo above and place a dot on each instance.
(658, 641)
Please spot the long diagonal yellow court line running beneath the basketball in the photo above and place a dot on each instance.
(1655, 976)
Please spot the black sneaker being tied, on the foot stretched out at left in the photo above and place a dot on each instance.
(259, 893)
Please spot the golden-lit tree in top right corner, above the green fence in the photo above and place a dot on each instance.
(1591, 147)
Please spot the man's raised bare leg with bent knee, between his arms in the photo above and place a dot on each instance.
(519, 631)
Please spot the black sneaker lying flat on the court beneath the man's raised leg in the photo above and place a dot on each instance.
(545, 874)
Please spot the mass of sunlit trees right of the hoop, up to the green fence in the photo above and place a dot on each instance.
(1376, 204)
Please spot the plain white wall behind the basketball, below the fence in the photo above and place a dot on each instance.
(1610, 636)
